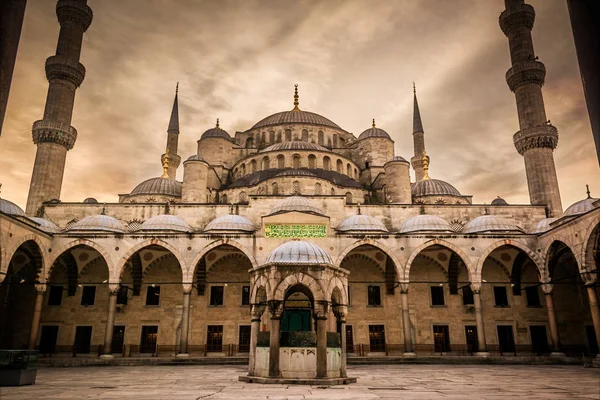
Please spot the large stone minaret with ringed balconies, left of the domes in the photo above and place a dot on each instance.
(54, 135)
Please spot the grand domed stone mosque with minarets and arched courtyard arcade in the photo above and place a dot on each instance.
(297, 225)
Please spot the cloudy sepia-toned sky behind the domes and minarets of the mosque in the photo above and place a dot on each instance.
(353, 60)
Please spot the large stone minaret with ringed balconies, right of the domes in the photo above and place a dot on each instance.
(537, 138)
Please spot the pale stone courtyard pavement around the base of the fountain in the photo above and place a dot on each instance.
(374, 382)
